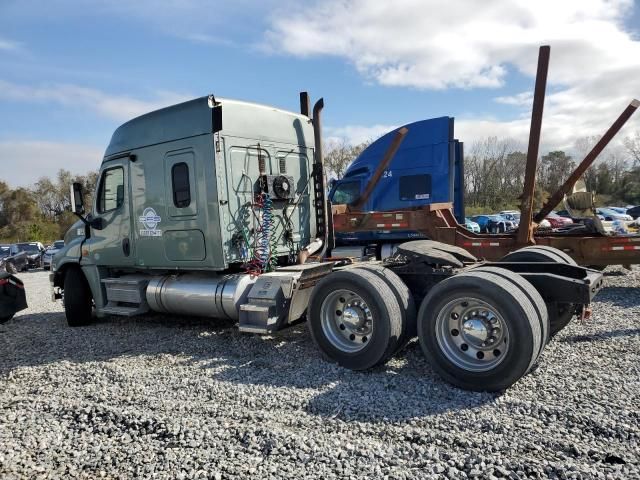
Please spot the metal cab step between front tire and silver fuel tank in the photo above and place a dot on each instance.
(126, 295)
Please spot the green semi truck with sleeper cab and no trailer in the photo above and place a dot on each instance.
(217, 208)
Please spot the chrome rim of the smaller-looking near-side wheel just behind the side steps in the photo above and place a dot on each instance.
(346, 321)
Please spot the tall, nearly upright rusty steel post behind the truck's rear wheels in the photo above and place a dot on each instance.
(525, 232)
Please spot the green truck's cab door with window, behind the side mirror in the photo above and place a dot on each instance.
(112, 243)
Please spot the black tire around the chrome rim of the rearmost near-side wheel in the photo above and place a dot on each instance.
(524, 336)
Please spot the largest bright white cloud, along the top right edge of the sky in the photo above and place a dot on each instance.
(424, 44)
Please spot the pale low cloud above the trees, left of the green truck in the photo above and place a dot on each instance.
(45, 159)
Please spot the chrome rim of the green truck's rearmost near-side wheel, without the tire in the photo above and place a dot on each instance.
(472, 334)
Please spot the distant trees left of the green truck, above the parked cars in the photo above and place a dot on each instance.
(41, 212)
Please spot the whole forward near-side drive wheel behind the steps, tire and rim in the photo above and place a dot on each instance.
(355, 319)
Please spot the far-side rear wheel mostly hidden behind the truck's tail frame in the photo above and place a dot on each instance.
(560, 314)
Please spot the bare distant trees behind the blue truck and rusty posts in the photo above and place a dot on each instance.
(494, 171)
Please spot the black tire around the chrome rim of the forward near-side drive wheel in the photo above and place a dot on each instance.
(385, 312)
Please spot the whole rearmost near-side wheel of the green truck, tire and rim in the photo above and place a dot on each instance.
(479, 331)
